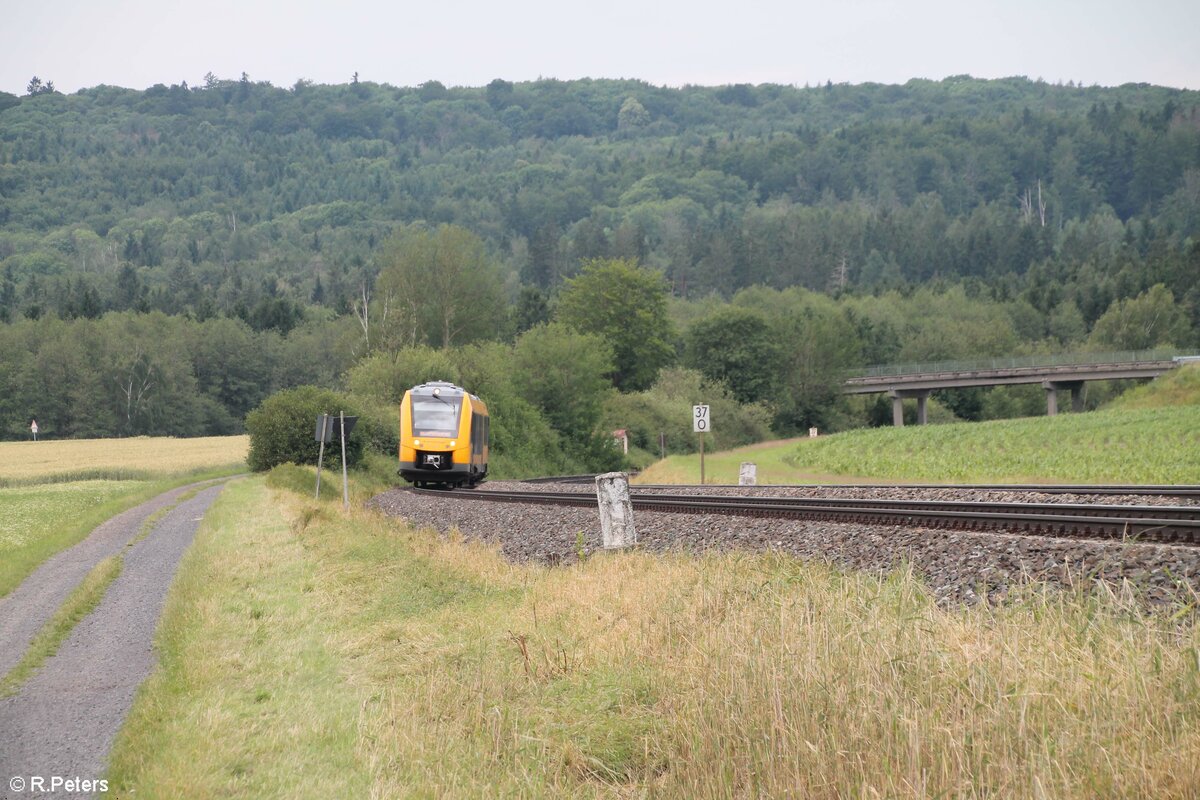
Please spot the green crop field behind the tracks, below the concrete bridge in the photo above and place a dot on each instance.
(1142, 444)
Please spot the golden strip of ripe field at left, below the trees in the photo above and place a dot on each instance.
(140, 459)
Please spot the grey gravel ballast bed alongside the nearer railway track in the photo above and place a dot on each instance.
(957, 566)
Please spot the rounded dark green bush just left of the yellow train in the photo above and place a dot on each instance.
(281, 430)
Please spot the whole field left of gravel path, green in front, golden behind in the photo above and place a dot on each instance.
(55, 494)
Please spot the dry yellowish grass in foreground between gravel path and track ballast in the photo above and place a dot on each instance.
(314, 653)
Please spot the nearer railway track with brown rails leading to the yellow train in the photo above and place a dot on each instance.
(1161, 525)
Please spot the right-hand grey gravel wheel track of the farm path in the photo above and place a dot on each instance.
(64, 720)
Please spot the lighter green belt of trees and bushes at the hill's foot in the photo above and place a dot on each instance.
(610, 350)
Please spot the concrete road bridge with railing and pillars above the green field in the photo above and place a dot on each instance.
(1055, 374)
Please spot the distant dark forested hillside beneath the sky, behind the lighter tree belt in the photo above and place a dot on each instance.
(219, 196)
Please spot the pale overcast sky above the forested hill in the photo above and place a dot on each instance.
(139, 44)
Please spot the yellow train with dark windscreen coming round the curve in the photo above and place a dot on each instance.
(443, 436)
